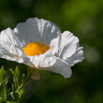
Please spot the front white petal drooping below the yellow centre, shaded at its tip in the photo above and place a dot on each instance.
(51, 63)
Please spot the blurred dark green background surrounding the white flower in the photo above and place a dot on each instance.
(84, 18)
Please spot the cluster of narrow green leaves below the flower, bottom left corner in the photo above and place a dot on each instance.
(15, 93)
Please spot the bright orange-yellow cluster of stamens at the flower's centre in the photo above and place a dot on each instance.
(36, 48)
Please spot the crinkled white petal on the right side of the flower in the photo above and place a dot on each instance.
(66, 47)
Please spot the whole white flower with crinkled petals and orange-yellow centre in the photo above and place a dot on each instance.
(39, 44)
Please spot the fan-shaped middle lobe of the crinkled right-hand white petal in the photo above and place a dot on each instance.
(68, 44)
